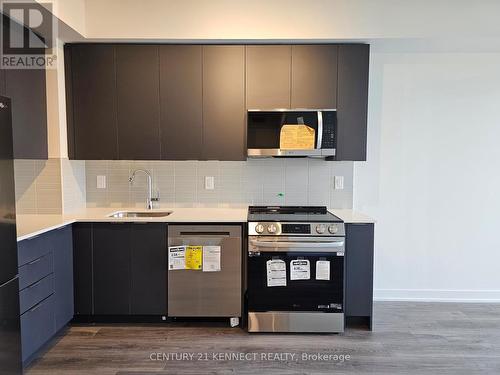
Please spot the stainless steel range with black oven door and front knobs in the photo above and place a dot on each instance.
(295, 270)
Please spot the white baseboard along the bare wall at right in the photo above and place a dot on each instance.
(436, 295)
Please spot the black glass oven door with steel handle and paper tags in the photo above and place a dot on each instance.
(323, 291)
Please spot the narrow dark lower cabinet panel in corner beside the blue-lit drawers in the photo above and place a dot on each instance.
(83, 269)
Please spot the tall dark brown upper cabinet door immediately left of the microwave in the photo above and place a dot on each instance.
(224, 103)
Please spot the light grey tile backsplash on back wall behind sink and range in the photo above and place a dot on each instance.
(254, 182)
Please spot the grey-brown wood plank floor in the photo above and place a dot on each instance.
(408, 338)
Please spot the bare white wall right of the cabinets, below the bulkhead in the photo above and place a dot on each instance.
(432, 177)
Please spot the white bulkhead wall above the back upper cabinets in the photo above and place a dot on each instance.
(290, 19)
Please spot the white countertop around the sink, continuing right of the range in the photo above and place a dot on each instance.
(32, 225)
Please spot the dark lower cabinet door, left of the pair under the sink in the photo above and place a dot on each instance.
(111, 260)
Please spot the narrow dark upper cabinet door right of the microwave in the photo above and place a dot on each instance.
(352, 101)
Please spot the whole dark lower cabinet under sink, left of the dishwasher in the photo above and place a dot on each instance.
(120, 269)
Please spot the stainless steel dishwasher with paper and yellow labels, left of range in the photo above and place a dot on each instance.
(207, 294)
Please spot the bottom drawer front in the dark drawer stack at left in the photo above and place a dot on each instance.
(37, 327)
